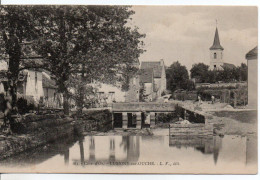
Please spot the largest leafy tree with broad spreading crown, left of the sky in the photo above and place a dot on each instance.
(91, 41)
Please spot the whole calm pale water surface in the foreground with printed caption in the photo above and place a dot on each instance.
(230, 154)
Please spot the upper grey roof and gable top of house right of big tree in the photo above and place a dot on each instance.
(155, 65)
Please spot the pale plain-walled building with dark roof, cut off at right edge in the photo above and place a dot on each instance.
(251, 57)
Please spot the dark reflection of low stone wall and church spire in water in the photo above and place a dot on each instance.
(206, 145)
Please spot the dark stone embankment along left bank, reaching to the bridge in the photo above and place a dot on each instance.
(34, 131)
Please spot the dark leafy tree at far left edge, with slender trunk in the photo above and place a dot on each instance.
(16, 27)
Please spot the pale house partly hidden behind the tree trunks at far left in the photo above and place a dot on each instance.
(33, 83)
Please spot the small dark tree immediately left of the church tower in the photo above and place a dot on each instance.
(200, 72)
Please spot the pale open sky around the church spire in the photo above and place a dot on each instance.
(185, 33)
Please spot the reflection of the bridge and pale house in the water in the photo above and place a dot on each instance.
(129, 144)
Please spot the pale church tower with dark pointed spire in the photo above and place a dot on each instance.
(216, 54)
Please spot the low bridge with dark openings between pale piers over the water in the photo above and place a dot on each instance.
(142, 114)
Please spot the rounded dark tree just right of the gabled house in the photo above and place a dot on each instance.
(177, 77)
